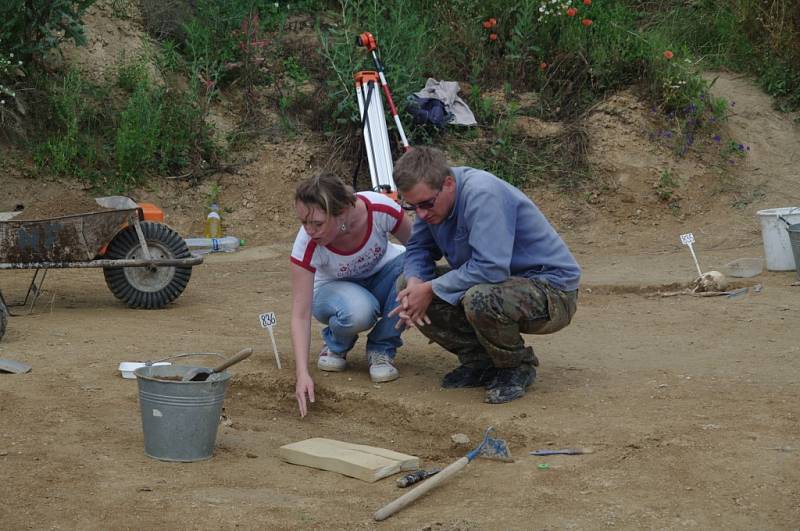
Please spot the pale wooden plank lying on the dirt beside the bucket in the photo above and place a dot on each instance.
(367, 463)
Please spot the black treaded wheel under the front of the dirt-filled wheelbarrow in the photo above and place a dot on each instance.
(147, 287)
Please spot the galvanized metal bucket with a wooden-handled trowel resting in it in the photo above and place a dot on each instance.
(179, 419)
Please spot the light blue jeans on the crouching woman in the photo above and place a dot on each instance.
(351, 306)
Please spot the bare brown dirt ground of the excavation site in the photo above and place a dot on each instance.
(691, 404)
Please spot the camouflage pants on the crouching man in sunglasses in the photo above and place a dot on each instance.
(486, 325)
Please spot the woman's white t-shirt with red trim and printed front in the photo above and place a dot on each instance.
(375, 251)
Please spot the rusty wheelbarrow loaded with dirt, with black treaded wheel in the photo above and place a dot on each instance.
(146, 264)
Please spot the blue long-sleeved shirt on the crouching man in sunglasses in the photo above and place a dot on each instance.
(493, 232)
